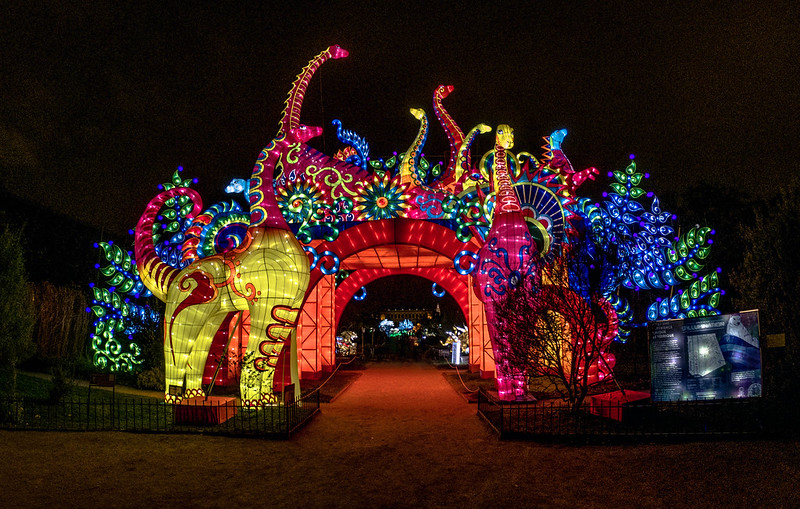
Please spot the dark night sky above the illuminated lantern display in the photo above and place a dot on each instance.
(100, 102)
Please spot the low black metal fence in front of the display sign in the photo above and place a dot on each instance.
(553, 420)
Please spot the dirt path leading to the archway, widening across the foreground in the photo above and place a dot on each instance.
(398, 437)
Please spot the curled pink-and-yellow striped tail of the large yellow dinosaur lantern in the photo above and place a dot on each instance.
(155, 273)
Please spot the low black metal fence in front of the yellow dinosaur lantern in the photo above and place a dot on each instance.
(141, 415)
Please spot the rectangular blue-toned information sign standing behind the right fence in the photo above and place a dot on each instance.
(710, 357)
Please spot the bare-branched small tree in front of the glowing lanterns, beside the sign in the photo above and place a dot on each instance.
(556, 325)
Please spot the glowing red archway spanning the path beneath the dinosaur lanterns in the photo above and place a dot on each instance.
(378, 249)
